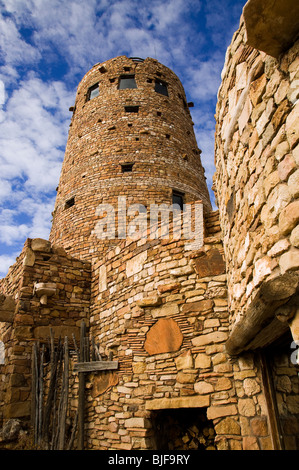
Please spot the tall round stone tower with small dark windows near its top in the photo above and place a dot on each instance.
(131, 135)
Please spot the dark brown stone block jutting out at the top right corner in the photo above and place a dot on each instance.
(271, 27)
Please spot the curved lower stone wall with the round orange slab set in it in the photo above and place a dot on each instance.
(163, 314)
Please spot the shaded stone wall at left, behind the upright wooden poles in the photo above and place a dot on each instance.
(39, 262)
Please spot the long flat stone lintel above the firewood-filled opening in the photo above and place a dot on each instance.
(197, 401)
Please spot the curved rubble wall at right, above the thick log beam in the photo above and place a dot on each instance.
(257, 174)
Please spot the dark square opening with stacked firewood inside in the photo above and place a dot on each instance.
(183, 429)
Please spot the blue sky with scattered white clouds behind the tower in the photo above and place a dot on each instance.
(46, 46)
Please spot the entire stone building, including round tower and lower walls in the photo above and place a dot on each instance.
(201, 327)
